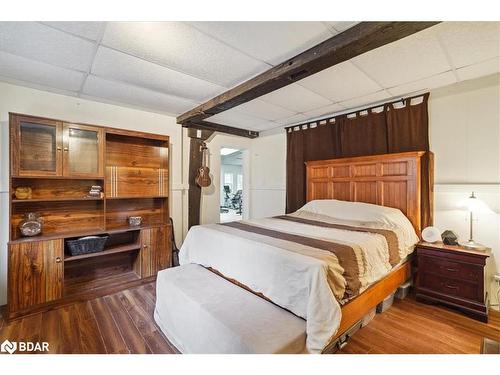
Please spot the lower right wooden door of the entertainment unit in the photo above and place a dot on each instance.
(156, 250)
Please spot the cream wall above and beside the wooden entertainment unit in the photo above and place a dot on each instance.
(35, 102)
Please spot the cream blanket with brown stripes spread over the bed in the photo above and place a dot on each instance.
(307, 263)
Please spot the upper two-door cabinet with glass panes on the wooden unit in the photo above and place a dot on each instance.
(45, 147)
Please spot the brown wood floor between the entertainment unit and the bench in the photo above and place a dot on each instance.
(118, 323)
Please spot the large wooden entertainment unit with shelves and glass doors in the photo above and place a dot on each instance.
(60, 161)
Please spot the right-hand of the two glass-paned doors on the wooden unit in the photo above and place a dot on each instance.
(83, 151)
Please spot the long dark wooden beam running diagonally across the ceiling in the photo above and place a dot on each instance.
(361, 38)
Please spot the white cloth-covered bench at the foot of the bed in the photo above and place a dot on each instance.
(201, 312)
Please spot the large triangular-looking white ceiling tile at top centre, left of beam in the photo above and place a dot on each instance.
(283, 40)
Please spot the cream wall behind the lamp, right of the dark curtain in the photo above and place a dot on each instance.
(465, 138)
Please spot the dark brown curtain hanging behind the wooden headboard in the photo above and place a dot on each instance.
(390, 130)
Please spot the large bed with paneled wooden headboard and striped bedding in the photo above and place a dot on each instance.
(337, 257)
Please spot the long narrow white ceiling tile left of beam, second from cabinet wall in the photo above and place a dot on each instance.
(119, 66)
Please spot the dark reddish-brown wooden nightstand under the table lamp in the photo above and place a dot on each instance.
(453, 276)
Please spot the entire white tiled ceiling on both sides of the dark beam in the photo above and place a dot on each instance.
(170, 67)
